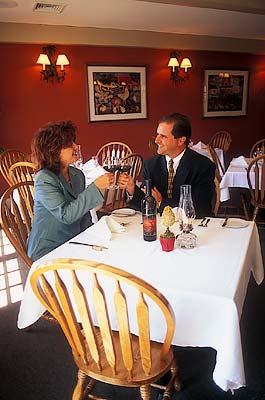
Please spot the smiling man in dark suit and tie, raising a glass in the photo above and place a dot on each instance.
(189, 168)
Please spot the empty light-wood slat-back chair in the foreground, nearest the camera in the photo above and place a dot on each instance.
(79, 292)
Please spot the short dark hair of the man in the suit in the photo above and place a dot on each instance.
(181, 125)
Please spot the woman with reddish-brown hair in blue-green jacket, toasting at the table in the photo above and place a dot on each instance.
(61, 203)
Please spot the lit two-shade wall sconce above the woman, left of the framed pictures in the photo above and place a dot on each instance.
(49, 66)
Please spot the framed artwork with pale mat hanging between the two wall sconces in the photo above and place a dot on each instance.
(116, 93)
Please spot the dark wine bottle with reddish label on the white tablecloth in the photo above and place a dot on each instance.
(149, 214)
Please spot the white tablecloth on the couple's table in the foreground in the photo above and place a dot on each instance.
(206, 286)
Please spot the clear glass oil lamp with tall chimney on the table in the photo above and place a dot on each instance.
(186, 239)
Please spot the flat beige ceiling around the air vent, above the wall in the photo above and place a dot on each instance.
(220, 18)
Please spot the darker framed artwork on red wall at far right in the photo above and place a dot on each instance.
(225, 93)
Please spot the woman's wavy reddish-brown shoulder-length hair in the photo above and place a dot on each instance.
(48, 142)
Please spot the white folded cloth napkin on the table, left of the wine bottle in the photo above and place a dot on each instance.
(101, 231)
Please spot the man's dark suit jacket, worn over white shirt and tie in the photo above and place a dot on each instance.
(194, 169)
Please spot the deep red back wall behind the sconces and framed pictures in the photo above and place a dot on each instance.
(26, 103)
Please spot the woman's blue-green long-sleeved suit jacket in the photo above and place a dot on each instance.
(60, 211)
